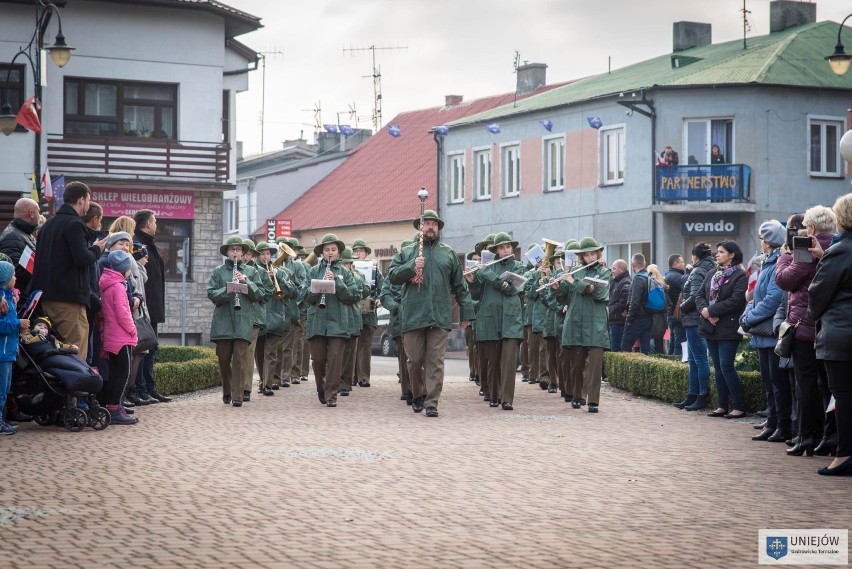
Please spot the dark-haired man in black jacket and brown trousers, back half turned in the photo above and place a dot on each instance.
(62, 267)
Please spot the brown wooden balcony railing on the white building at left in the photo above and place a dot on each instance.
(142, 158)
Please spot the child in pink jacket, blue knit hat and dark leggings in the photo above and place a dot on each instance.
(118, 334)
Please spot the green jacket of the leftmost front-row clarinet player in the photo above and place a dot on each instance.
(227, 323)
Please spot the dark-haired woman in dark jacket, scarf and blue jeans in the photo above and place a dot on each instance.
(720, 303)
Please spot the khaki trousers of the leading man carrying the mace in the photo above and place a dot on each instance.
(425, 349)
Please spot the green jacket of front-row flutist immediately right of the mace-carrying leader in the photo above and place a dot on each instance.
(499, 313)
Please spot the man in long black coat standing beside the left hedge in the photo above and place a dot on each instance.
(155, 301)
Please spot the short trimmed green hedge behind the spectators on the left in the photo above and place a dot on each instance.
(182, 369)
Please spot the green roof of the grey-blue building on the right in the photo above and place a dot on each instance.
(792, 57)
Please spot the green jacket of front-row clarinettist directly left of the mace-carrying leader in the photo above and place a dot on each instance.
(333, 320)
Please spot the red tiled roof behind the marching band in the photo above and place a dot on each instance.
(379, 181)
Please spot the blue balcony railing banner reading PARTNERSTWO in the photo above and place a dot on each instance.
(703, 182)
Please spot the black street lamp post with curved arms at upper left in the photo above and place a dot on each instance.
(60, 53)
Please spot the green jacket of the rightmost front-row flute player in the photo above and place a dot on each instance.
(586, 321)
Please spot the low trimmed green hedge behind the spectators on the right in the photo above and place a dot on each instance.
(667, 379)
